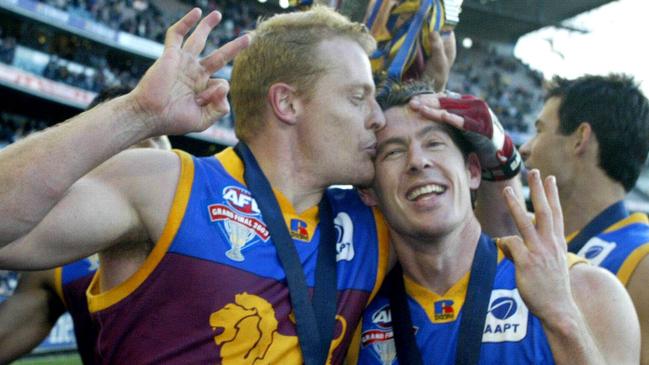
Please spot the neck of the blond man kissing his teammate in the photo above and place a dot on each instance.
(289, 172)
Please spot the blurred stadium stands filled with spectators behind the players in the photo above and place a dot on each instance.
(56, 54)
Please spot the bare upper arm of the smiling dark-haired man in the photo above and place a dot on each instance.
(599, 294)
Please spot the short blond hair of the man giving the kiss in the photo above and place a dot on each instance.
(283, 49)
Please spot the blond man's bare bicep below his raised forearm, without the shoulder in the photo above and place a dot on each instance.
(91, 217)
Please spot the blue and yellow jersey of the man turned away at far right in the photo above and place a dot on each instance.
(618, 247)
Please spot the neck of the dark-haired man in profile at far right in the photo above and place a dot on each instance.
(582, 201)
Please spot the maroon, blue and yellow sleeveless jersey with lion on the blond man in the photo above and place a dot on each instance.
(213, 289)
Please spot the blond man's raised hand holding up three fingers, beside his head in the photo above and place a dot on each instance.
(177, 94)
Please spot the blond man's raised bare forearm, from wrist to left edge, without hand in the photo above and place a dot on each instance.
(37, 171)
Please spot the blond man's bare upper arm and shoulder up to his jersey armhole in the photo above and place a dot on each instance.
(126, 199)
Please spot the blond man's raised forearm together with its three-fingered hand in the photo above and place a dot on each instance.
(176, 95)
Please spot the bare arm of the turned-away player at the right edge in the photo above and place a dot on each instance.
(637, 288)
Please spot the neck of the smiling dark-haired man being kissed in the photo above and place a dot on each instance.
(437, 263)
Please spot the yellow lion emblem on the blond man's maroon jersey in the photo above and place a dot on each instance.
(250, 333)
